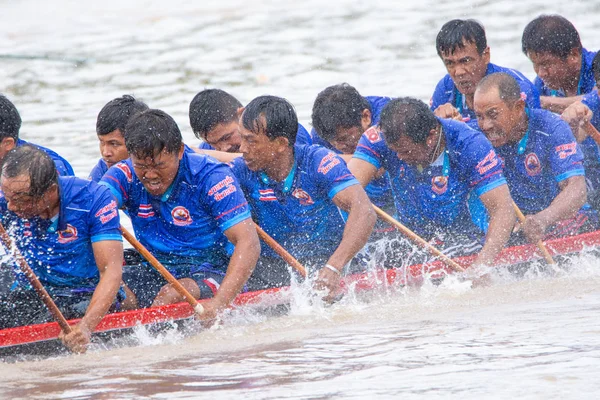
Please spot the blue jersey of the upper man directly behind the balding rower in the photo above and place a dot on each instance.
(446, 92)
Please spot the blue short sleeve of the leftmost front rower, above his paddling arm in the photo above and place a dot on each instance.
(104, 216)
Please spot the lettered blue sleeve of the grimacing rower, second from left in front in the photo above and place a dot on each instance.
(224, 197)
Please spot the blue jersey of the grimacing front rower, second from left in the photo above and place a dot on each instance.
(185, 225)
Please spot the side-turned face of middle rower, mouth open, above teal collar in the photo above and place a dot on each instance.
(259, 151)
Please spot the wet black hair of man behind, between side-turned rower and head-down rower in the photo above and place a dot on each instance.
(338, 107)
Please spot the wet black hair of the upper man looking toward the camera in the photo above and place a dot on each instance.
(458, 32)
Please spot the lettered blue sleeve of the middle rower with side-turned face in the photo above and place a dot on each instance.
(330, 172)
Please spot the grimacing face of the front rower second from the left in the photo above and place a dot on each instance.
(158, 172)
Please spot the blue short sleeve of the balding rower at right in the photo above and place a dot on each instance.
(566, 157)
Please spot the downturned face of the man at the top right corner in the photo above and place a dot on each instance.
(555, 71)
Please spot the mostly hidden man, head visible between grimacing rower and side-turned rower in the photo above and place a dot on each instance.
(214, 118)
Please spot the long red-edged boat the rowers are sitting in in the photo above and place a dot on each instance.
(42, 337)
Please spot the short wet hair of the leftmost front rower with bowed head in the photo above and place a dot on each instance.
(28, 160)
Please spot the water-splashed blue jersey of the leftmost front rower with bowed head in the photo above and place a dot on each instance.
(59, 250)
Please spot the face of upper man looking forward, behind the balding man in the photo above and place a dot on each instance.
(466, 66)
